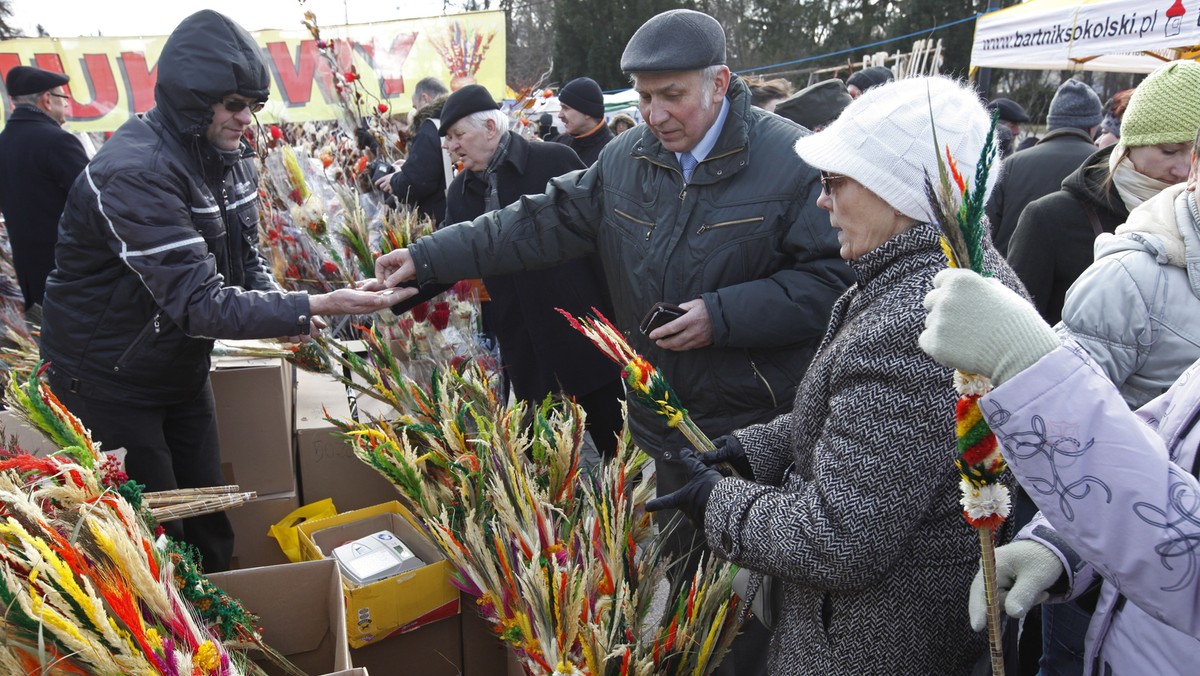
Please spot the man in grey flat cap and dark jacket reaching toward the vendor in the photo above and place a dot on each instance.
(705, 207)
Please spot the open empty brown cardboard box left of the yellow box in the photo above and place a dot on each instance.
(301, 607)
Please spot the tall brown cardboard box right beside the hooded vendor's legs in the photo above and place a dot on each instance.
(255, 421)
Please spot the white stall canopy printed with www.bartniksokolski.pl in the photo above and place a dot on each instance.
(1093, 35)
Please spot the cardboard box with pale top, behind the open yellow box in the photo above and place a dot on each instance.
(327, 464)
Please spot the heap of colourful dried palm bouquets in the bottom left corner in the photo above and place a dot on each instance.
(86, 585)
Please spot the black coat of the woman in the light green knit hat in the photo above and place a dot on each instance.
(1053, 243)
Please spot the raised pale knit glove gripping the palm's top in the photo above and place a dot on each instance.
(980, 326)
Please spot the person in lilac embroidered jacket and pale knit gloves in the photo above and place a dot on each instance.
(1118, 490)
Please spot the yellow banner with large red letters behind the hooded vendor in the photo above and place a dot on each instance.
(113, 77)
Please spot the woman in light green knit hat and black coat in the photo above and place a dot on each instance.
(1053, 242)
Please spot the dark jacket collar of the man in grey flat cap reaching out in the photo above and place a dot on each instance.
(725, 158)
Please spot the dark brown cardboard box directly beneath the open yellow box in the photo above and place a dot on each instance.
(433, 650)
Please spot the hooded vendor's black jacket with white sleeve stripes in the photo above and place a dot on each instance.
(157, 253)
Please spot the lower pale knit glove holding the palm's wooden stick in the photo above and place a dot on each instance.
(1025, 570)
